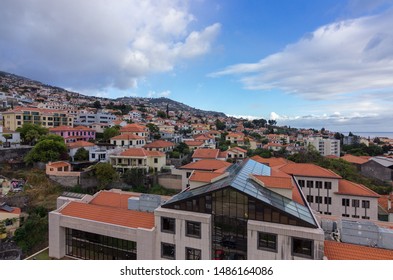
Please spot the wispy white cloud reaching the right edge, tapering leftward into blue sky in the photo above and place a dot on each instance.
(336, 59)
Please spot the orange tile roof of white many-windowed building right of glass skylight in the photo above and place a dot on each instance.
(308, 170)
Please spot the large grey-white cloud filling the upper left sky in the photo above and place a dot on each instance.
(96, 43)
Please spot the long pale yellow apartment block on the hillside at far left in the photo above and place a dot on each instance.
(45, 117)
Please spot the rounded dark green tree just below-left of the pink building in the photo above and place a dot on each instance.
(48, 148)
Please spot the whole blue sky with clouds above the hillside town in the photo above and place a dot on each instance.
(306, 64)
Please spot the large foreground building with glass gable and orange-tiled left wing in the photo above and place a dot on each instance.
(232, 218)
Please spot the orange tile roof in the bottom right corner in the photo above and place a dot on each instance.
(344, 251)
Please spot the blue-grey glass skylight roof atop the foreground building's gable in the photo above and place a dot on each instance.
(239, 179)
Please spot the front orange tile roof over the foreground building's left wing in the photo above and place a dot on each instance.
(110, 215)
